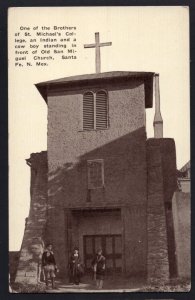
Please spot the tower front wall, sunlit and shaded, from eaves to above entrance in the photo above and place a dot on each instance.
(122, 147)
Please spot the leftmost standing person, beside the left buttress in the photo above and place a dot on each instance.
(49, 265)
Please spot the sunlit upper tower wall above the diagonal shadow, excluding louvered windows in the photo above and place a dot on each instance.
(66, 140)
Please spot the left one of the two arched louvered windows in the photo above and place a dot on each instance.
(88, 111)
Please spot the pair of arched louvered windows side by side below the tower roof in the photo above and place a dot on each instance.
(95, 111)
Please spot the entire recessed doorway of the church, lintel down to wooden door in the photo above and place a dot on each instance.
(91, 229)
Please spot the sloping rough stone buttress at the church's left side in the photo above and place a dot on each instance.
(34, 233)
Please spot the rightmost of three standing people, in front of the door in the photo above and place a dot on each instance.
(99, 266)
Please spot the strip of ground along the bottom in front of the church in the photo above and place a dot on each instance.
(115, 284)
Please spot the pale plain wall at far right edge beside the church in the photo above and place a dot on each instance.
(181, 208)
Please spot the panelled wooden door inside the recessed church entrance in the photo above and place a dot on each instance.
(111, 246)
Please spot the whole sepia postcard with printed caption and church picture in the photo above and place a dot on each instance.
(99, 149)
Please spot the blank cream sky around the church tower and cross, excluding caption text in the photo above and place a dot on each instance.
(153, 39)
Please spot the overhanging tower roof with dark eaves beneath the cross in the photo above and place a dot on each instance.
(97, 78)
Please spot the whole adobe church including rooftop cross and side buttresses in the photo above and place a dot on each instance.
(102, 183)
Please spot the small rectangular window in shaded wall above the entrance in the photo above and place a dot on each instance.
(95, 173)
